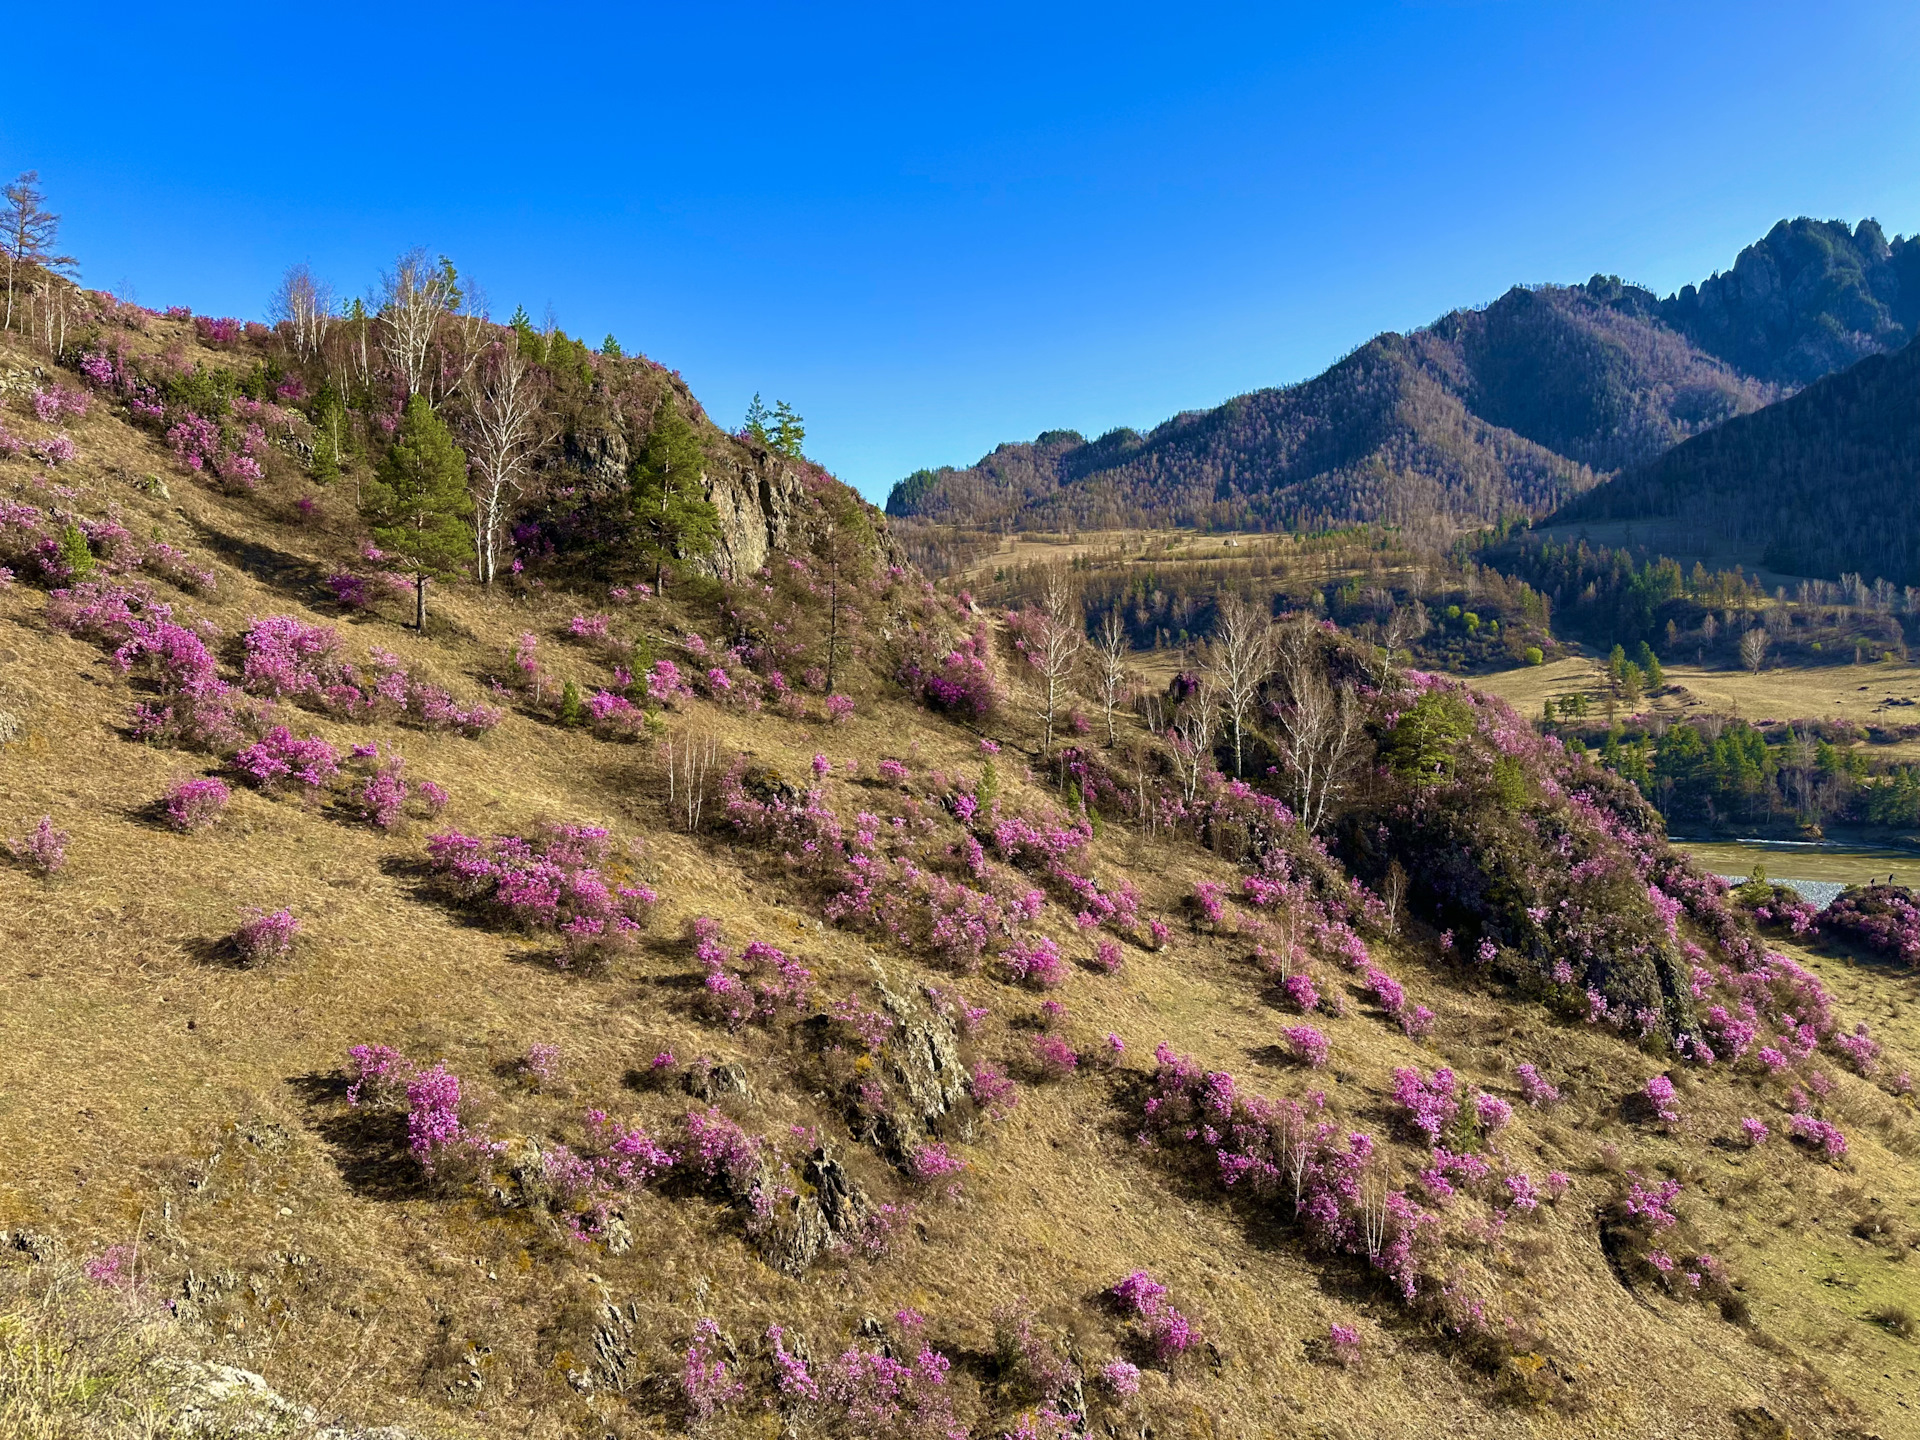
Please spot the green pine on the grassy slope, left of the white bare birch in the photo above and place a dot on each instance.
(418, 502)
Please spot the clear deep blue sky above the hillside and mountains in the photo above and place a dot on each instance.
(934, 229)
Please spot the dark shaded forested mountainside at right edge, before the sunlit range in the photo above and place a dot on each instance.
(1825, 483)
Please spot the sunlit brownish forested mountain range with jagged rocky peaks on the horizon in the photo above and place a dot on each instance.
(1516, 408)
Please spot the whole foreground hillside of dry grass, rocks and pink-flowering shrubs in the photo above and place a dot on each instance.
(709, 1011)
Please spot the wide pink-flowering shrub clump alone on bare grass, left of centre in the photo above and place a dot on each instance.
(550, 884)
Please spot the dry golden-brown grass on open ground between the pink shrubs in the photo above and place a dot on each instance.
(149, 1092)
